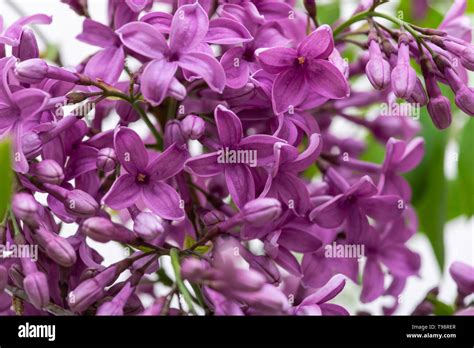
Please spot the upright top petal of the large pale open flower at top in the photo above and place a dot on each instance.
(188, 28)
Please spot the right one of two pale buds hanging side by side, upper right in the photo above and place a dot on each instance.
(403, 75)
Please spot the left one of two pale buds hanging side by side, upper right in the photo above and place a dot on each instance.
(377, 68)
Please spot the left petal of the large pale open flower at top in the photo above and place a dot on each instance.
(144, 39)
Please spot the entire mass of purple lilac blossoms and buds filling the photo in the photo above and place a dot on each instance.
(242, 178)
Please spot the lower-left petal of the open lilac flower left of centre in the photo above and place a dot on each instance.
(123, 193)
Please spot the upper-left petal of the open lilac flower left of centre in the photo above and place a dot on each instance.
(130, 150)
